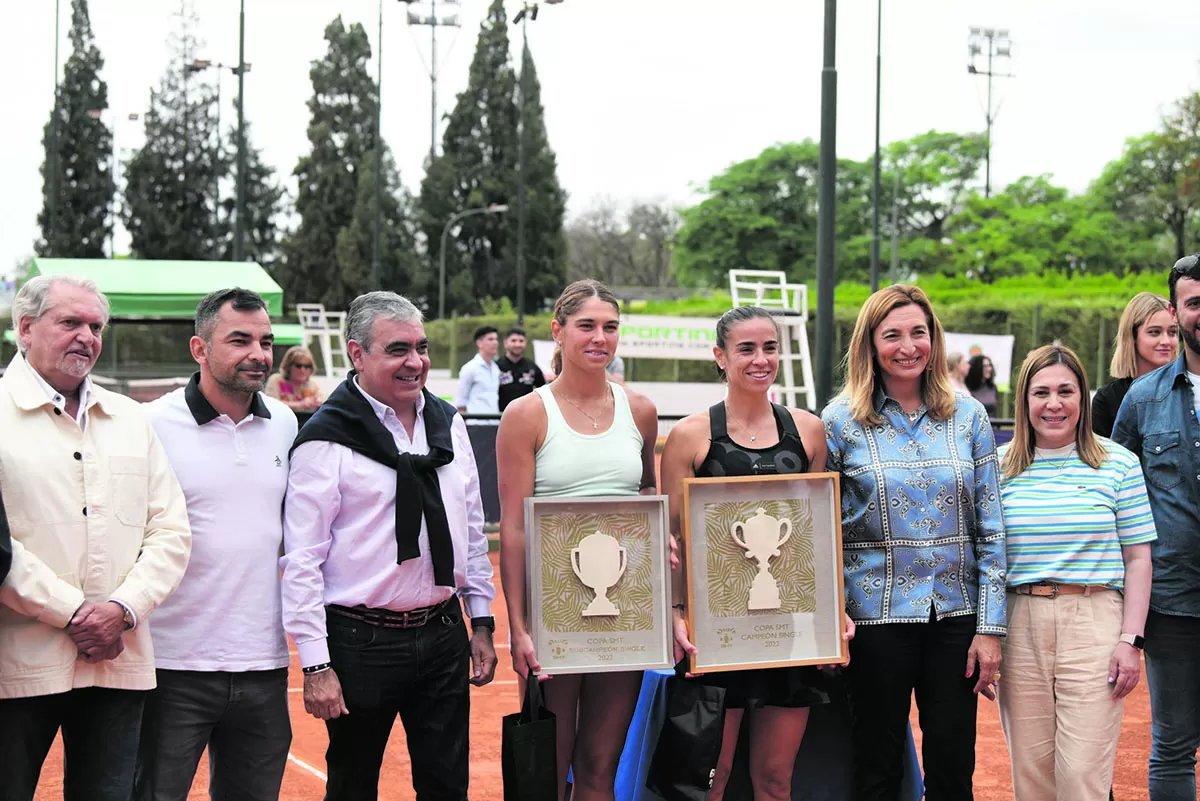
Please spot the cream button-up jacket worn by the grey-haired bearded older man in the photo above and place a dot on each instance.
(97, 515)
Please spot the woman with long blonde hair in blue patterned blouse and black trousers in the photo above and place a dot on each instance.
(923, 540)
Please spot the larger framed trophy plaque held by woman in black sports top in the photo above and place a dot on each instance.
(764, 569)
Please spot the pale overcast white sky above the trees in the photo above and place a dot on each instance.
(649, 99)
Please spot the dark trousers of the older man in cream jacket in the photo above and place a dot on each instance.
(100, 743)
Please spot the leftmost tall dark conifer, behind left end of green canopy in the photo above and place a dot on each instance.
(77, 174)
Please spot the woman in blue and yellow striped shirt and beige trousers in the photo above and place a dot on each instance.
(1079, 532)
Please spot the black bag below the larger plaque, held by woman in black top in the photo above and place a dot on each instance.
(691, 743)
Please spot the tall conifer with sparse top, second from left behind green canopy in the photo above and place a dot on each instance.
(171, 206)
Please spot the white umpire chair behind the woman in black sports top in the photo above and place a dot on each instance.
(789, 304)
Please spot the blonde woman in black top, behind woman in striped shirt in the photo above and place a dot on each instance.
(1148, 339)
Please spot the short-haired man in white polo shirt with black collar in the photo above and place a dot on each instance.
(220, 649)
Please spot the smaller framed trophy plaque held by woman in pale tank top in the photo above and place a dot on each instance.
(597, 571)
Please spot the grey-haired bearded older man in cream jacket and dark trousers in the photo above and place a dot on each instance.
(100, 538)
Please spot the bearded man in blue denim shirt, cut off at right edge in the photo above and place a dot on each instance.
(1159, 423)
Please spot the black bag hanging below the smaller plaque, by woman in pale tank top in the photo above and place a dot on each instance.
(529, 750)
